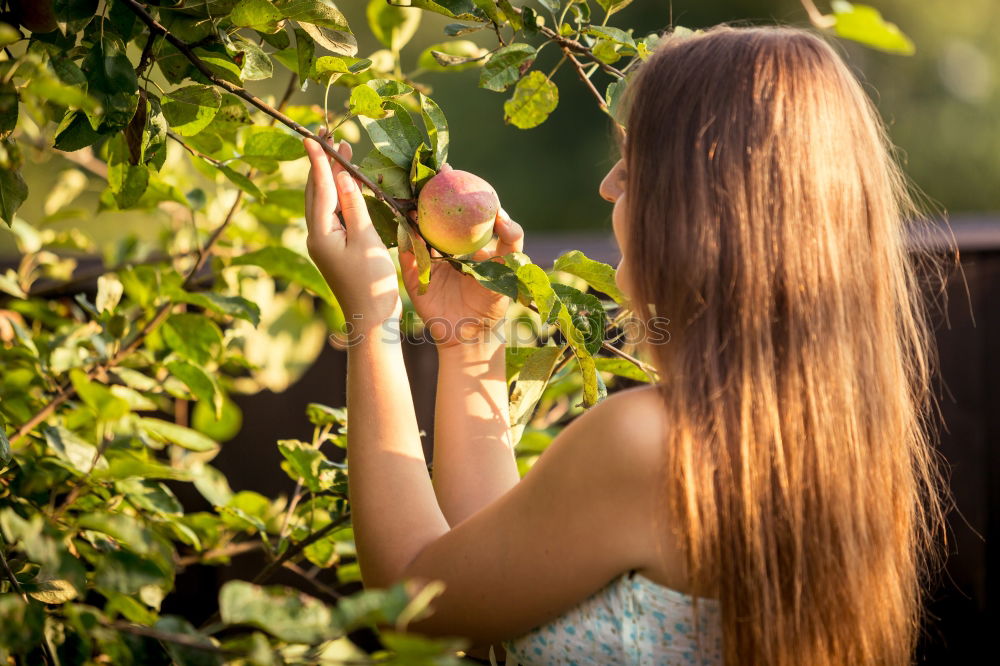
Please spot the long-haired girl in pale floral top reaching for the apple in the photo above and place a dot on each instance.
(774, 498)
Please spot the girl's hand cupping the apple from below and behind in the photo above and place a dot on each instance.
(456, 309)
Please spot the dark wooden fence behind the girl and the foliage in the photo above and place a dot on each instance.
(965, 606)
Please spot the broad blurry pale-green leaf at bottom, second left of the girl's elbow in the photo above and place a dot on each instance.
(283, 613)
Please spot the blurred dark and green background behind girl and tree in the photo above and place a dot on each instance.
(941, 108)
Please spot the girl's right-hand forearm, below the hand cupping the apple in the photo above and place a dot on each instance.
(474, 460)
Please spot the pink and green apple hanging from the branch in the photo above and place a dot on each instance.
(456, 211)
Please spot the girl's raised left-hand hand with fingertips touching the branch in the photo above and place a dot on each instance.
(345, 247)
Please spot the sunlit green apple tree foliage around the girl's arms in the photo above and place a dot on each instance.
(149, 100)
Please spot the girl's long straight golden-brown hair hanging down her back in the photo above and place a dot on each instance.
(766, 220)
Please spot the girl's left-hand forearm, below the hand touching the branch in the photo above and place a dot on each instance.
(394, 510)
